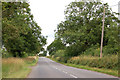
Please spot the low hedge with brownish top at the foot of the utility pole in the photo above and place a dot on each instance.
(108, 62)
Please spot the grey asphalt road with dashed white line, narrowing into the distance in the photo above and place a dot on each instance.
(47, 68)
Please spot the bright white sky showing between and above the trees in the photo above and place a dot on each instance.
(49, 13)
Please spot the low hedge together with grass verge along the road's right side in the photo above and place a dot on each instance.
(107, 65)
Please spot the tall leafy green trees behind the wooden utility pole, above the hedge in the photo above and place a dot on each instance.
(80, 33)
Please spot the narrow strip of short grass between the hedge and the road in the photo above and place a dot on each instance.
(102, 70)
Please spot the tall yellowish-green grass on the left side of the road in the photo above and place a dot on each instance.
(17, 67)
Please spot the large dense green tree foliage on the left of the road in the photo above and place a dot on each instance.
(21, 34)
